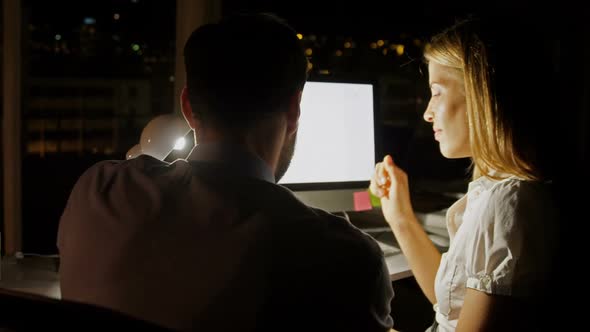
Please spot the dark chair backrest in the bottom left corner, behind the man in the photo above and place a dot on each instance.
(27, 312)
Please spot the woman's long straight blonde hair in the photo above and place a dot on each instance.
(491, 134)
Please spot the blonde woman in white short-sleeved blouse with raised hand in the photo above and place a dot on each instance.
(489, 106)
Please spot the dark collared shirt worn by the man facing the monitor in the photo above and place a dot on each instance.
(212, 244)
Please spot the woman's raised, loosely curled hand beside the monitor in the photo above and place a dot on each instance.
(390, 184)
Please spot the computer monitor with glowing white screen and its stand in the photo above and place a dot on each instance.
(337, 144)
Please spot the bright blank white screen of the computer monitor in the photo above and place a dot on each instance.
(336, 138)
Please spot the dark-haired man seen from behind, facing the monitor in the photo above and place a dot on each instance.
(212, 242)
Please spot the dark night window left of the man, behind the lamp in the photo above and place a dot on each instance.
(90, 70)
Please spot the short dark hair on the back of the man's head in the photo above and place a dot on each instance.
(243, 68)
